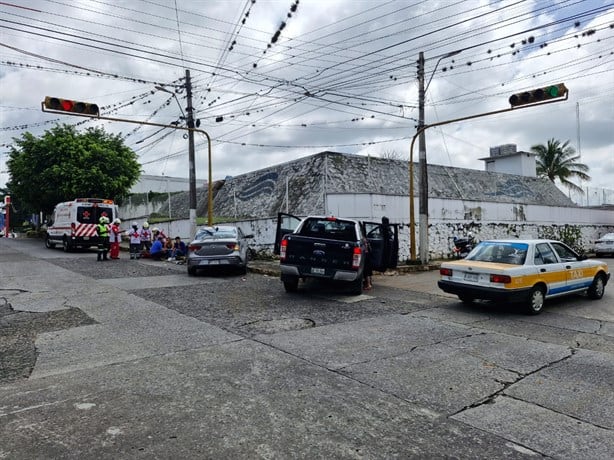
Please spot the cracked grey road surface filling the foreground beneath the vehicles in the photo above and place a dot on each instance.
(136, 359)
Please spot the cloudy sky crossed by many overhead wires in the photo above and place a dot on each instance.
(275, 80)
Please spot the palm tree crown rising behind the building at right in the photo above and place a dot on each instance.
(559, 161)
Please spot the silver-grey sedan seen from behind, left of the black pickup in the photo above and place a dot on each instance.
(217, 248)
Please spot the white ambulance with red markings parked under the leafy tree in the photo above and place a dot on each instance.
(73, 223)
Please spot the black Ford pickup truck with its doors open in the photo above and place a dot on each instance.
(333, 248)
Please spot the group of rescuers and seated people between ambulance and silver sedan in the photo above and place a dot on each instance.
(144, 243)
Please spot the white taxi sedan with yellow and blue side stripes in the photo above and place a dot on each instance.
(523, 271)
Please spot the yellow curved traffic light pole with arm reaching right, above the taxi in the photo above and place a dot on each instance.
(424, 234)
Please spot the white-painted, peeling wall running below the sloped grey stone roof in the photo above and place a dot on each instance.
(447, 218)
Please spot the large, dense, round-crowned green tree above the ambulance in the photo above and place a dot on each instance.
(64, 164)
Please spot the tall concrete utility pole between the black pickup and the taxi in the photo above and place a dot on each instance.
(424, 186)
